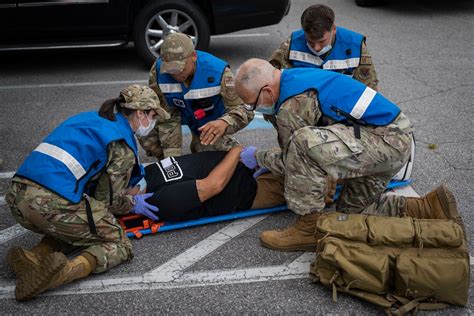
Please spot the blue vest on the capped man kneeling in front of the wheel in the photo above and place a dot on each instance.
(201, 102)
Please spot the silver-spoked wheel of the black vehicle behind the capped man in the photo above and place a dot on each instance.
(158, 19)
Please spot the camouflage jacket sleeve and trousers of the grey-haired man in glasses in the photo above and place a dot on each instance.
(309, 154)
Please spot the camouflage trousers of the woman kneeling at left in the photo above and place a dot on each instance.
(43, 212)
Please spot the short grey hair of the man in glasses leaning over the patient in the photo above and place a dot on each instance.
(254, 74)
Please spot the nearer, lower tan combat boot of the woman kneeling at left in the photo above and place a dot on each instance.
(49, 272)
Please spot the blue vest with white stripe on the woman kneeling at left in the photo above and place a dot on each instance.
(75, 152)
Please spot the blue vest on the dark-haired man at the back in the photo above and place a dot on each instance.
(343, 57)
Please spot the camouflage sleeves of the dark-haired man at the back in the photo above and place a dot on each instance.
(364, 73)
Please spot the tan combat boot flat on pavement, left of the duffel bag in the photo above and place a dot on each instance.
(297, 237)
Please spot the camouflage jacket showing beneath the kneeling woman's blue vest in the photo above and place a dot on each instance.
(115, 176)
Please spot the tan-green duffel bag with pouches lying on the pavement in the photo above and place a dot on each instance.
(398, 263)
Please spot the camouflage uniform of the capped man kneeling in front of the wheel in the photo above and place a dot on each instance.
(166, 139)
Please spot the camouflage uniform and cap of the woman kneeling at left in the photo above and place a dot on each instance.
(43, 211)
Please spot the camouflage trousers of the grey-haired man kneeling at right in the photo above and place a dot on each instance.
(364, 165)
